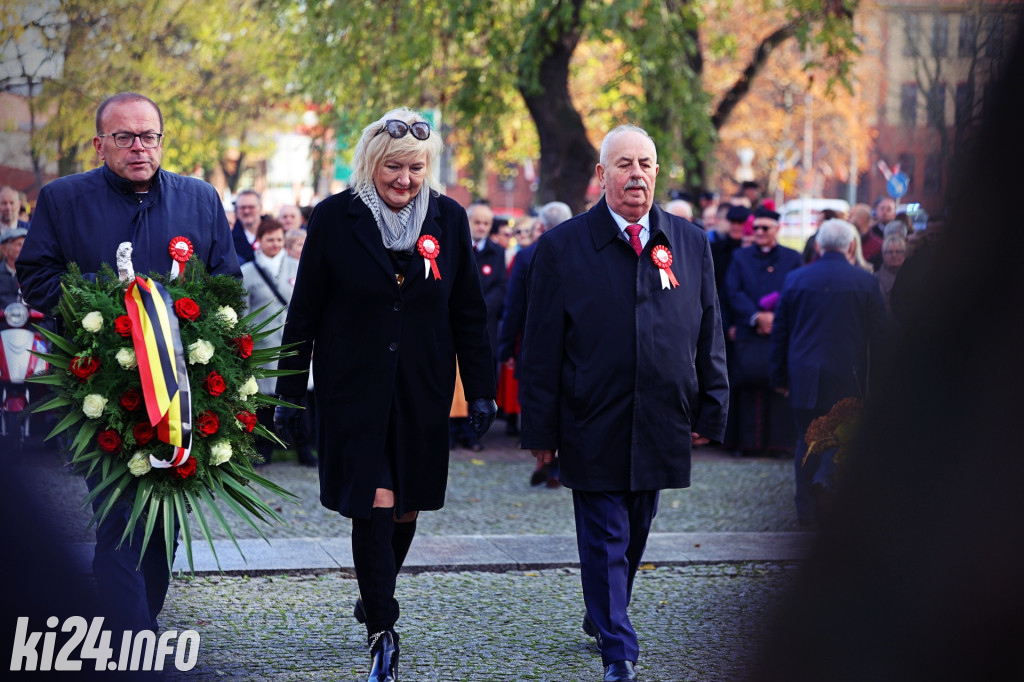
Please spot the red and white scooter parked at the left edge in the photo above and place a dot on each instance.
(17, 365)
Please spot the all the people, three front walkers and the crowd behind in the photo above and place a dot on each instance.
(612, 343)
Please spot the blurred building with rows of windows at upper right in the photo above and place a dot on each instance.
(937, 60)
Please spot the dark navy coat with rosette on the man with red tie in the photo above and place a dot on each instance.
(618, 371)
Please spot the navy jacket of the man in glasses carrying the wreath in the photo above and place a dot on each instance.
(83, 219)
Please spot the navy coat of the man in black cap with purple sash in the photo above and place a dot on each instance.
(753, 275)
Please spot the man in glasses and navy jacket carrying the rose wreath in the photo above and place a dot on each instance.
(83, 219)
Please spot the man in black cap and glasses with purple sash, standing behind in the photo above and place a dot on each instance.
(760, 420)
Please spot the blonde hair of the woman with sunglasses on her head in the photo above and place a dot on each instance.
(376, 147)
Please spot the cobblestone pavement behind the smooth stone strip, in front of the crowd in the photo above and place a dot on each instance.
(489, 493)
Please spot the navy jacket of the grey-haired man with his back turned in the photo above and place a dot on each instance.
(830, 332)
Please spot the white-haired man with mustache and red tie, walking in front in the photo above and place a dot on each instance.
(623, 371)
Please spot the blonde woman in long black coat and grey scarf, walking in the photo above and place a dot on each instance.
(389, 294)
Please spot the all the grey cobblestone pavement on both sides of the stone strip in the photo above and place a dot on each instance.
(695, 622)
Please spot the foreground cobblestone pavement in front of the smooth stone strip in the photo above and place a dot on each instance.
(695, 623)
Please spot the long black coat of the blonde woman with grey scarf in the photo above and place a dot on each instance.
(386, 355)
